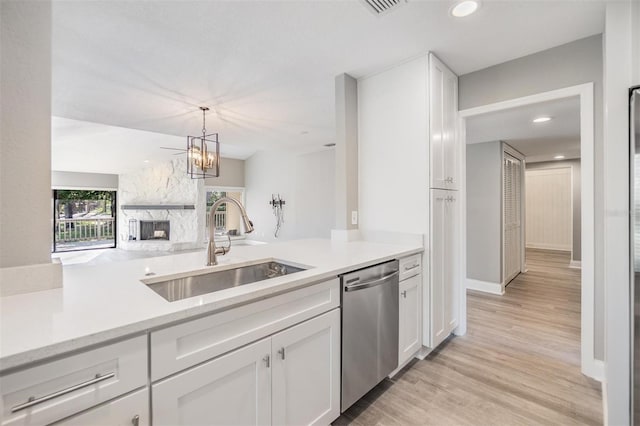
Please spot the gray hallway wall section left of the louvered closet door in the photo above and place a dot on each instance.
(484, 217)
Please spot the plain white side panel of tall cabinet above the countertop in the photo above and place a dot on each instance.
(393, 149)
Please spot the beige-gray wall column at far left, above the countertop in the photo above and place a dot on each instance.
(25, 133)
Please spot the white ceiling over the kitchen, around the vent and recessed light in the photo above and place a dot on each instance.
(266, 68)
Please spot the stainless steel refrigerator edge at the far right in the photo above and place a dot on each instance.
(634, 202)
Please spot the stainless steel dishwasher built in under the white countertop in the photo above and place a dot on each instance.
(369, 329)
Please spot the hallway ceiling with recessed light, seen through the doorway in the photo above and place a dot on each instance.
(537, 141)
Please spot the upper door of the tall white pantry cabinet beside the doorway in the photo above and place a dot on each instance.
(443, 134)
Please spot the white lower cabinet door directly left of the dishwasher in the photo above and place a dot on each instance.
(306, 372)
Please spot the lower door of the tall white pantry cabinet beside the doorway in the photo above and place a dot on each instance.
(443, 265)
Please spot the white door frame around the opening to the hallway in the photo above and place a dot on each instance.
(585, 92)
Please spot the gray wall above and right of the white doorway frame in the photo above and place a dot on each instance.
(568, 65)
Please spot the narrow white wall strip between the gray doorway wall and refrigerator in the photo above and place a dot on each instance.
(620, 64)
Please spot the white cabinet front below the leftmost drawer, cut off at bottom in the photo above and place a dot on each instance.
(130, 410)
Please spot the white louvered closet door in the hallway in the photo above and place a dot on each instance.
(512, 224)
